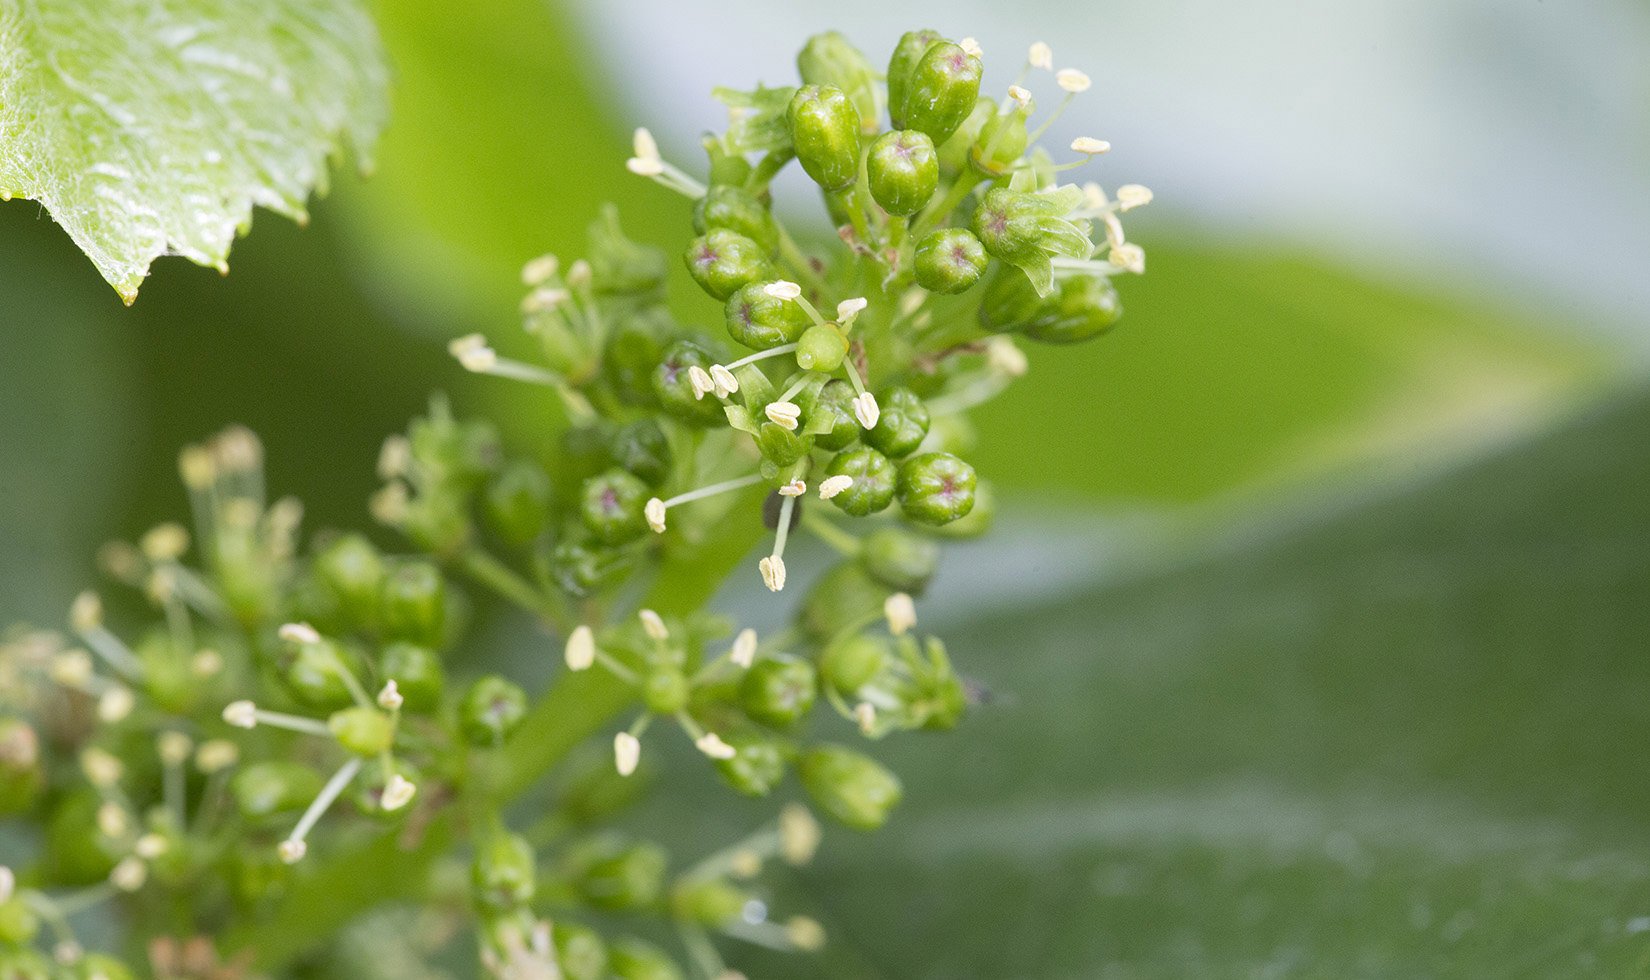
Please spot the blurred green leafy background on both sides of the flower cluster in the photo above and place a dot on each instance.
(1339, 669)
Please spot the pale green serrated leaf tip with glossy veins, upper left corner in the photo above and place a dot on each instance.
(153, 128)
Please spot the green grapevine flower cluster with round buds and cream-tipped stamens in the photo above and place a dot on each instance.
(293, 700)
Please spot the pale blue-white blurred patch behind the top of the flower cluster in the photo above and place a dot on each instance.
(1492, 148)
